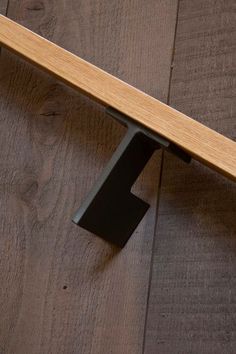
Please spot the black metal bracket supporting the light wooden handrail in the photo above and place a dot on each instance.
(110, 210)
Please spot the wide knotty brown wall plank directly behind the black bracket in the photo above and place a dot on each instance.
(62, 289)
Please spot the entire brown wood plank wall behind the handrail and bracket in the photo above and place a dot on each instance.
(62, 289)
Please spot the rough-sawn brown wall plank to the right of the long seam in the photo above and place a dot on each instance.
(193, 292)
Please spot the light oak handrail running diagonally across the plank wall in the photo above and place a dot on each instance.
(206, 145)
